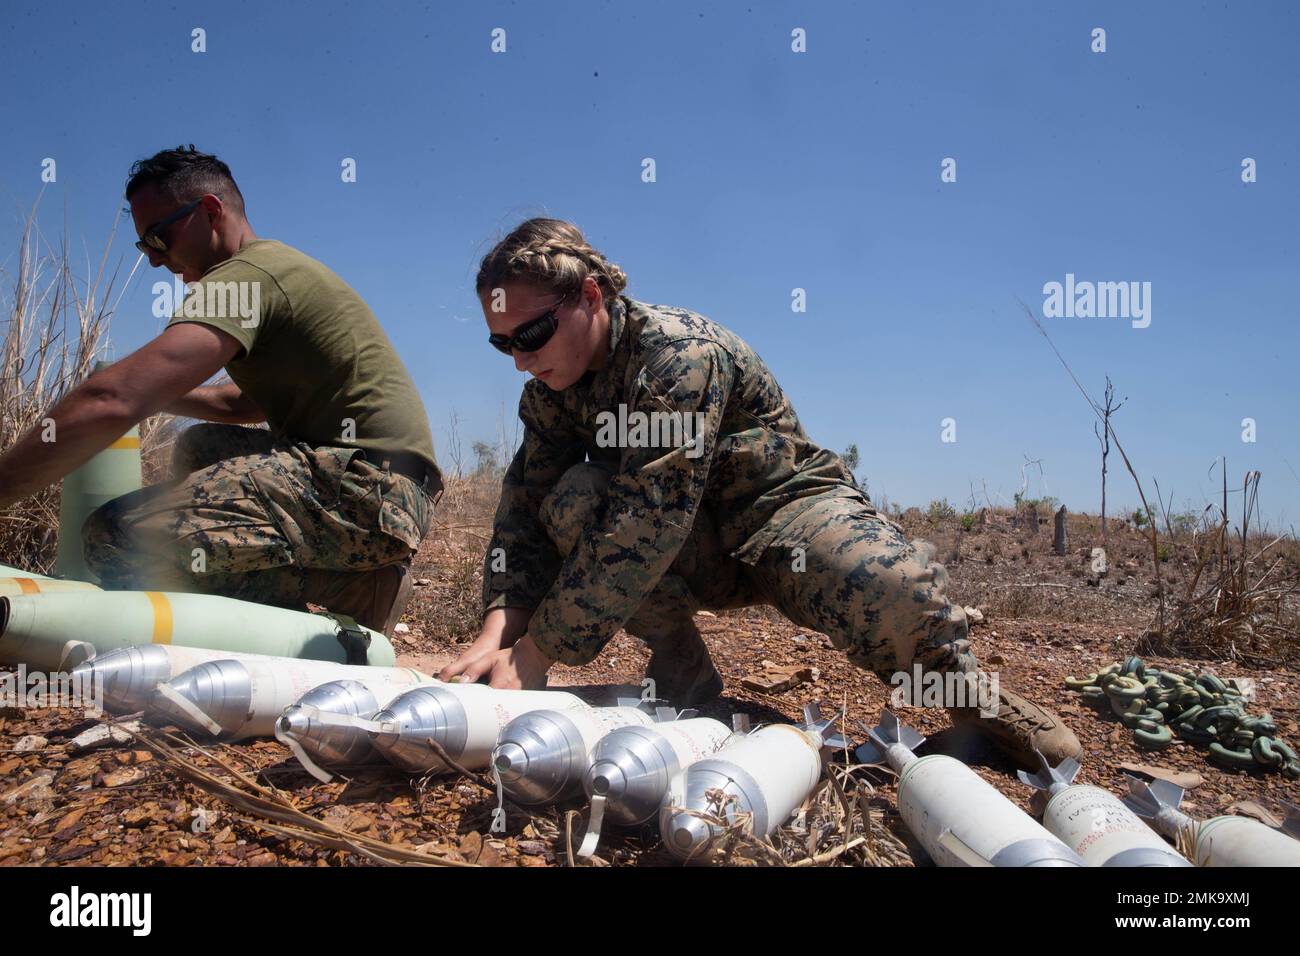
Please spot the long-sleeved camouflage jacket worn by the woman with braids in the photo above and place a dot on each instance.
(751, 465)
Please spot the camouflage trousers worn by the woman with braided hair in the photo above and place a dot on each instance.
(838, 568)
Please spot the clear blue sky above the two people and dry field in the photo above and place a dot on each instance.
(774, 171)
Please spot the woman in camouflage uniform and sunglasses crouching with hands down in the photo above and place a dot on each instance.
(664, 471)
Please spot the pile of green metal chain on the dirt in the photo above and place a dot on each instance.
(1201, 708)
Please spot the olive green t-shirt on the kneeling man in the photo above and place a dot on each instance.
(315, 358)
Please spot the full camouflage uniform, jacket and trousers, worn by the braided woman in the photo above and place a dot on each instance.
(596, 538)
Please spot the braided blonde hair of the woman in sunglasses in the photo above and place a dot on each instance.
(552, 254)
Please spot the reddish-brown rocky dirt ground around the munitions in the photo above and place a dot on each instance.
(1047, 617)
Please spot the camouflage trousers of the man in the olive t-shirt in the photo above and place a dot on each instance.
(248, 517)
